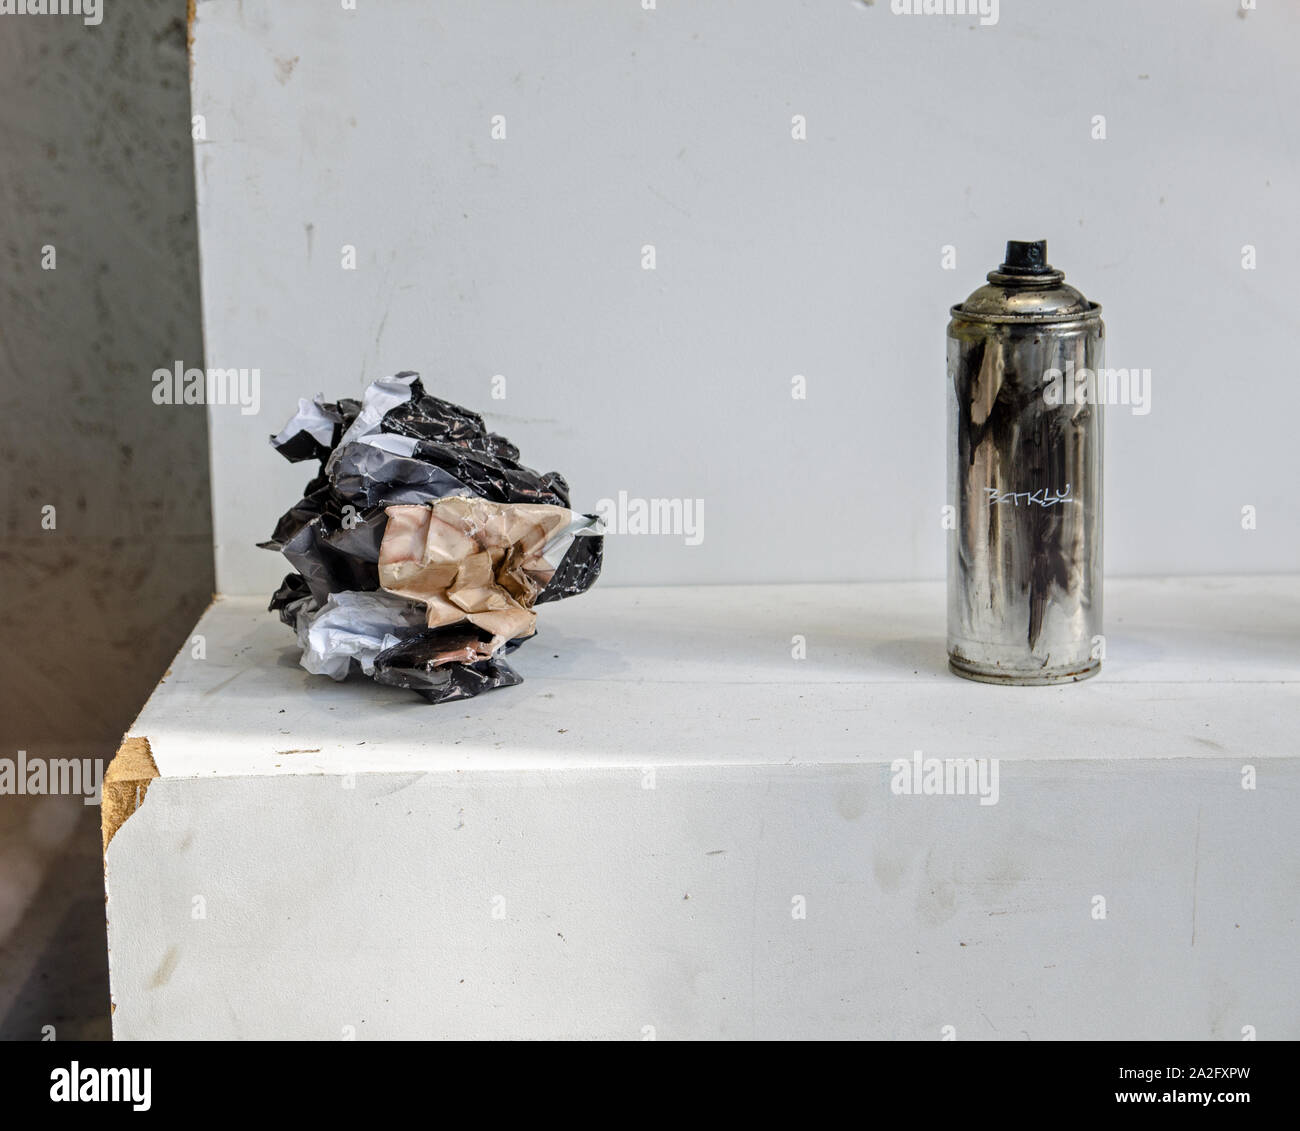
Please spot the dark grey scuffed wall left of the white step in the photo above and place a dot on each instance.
(96, 159)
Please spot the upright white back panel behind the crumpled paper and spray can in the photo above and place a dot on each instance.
(822, 258)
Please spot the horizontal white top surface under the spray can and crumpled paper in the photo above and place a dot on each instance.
(1195, 668)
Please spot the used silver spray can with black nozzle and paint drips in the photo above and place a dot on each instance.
(1025, 478)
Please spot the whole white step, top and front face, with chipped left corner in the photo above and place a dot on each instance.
(675, 829)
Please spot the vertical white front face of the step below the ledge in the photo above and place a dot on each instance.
(370, 907)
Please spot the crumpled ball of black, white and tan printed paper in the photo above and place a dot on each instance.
(423, 545)
